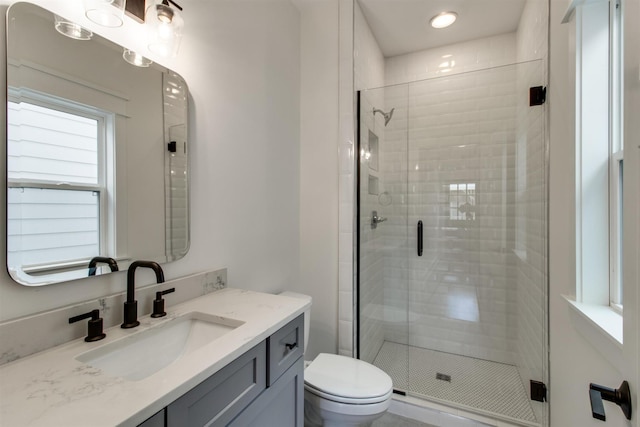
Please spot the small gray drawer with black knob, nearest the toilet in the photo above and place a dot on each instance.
(284, 348)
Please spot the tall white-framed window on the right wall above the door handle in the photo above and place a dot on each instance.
(599, 153)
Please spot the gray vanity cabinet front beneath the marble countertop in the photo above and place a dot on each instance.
(263, 387)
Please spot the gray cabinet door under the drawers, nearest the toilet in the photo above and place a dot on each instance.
(281, 405)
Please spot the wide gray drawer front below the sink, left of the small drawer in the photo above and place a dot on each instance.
(218, 399)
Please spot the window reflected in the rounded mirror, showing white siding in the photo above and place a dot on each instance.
(57, 190)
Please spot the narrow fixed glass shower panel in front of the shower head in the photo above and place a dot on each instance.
(383, 232)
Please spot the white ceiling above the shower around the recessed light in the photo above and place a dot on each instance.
(402, 26)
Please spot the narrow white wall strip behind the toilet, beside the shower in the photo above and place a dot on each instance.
(319, 117)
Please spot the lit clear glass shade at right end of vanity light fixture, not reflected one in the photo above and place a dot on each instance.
(164, 25)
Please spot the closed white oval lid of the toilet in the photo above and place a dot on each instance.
(347, 378)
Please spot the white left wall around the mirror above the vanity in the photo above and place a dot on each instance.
(242, 63)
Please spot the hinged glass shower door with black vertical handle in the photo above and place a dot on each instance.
(477, 181)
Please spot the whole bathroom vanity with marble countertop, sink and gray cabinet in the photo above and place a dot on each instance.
(251, 374)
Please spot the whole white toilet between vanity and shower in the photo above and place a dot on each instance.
(340, 391)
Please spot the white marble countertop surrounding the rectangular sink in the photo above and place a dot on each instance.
(52, 388)
